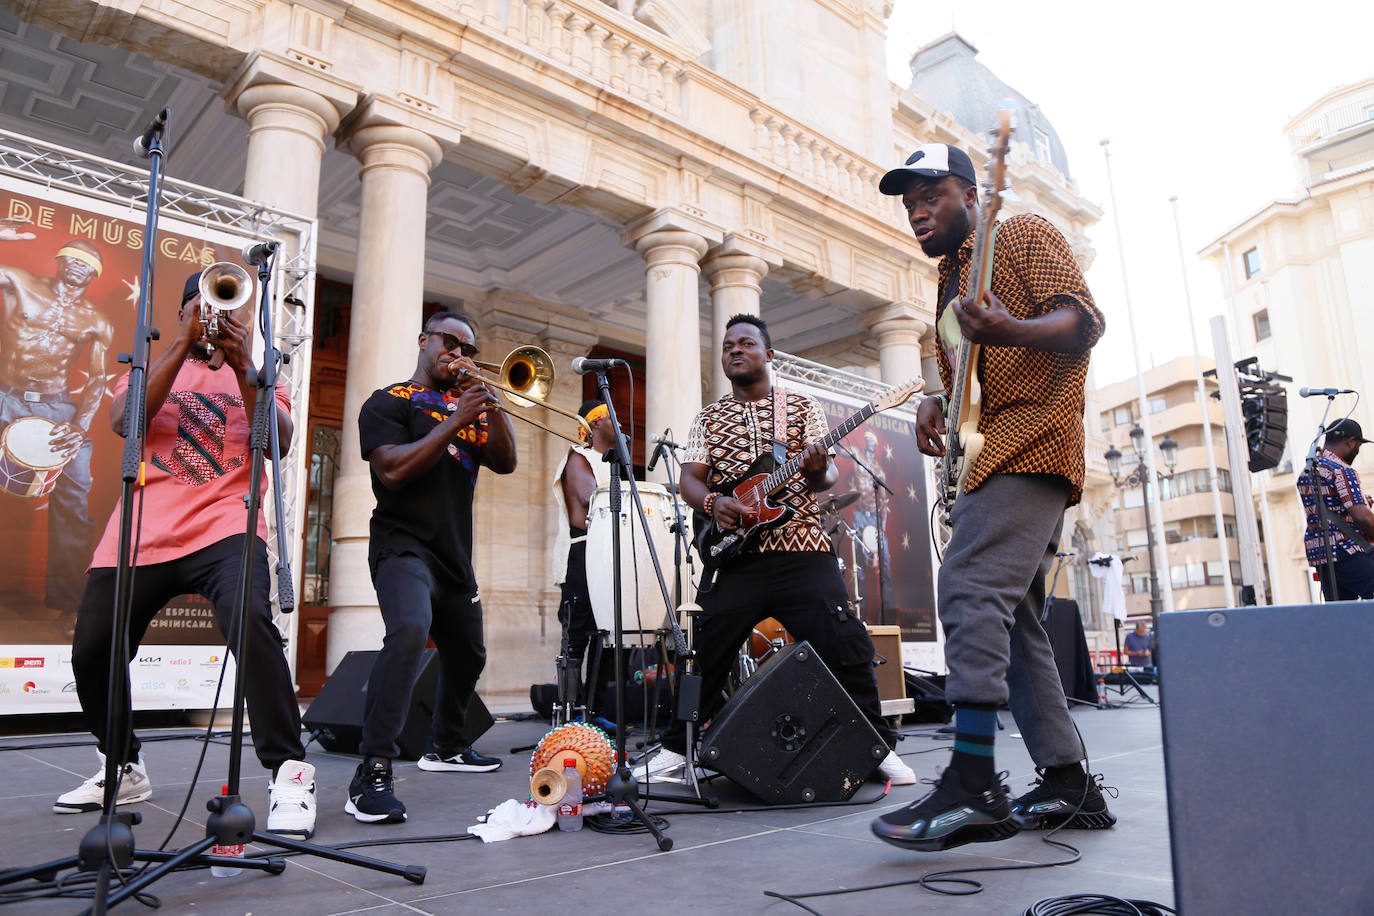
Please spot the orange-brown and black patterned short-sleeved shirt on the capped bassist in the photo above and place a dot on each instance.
(1033, 400)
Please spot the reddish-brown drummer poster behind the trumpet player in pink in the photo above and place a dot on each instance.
(69, 282)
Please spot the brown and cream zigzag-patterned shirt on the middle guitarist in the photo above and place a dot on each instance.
(729, 435)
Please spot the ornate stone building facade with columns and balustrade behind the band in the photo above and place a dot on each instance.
(585, 176)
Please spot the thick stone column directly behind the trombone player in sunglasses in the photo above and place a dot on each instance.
(388, 293)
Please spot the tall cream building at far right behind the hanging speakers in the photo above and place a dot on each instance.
(1300, 281)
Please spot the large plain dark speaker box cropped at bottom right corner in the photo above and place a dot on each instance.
(1265, 712)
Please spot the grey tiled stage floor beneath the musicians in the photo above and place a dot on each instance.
(721, 863)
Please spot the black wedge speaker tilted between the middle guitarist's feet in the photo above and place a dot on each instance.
(791, 734)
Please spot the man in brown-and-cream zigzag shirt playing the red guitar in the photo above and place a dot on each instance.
(789, 572)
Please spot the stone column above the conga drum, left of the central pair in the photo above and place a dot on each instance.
(673, 333)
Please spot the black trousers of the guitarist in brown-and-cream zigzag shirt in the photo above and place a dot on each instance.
(807, 595)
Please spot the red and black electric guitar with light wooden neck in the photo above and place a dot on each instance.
(762, 483)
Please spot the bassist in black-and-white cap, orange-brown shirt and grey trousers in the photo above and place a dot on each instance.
(1035, 326)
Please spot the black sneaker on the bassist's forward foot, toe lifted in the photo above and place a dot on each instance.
(950, 816)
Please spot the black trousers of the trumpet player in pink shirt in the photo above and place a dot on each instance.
(212, 572)
